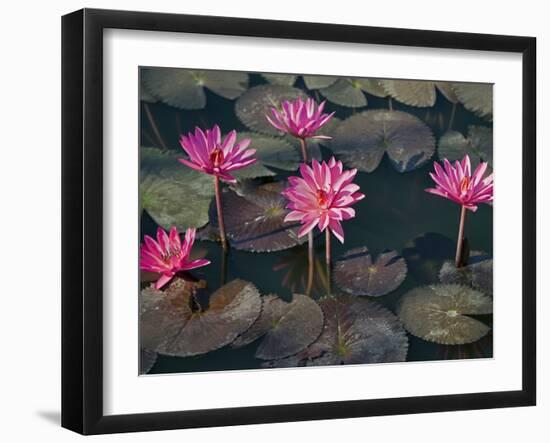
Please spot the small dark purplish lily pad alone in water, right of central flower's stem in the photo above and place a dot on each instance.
(357, 273)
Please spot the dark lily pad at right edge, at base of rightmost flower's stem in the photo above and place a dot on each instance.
(478, 273)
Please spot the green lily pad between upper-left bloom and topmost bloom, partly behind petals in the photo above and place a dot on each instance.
(271, 151)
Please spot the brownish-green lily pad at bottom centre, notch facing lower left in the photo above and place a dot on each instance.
(287, 327)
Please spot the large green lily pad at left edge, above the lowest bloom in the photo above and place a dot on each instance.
(173, 194)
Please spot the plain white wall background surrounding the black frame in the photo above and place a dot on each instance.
(30, 243)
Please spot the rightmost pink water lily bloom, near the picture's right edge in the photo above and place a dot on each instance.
(458, 184)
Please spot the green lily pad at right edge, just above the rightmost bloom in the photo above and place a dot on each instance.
(478, 145)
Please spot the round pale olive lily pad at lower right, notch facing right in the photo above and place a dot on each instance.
(439, 313)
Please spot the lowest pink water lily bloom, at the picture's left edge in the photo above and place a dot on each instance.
(167, 255)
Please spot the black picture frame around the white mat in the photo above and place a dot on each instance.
(82, 220)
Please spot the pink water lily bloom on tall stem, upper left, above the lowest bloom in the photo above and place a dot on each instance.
(208, 153)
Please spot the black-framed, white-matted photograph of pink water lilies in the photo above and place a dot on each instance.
(271, 221)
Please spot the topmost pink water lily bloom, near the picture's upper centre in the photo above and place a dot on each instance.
(301, 119)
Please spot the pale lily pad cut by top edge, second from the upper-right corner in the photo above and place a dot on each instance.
(418, 93)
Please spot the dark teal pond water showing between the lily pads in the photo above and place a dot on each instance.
(394, 213)
